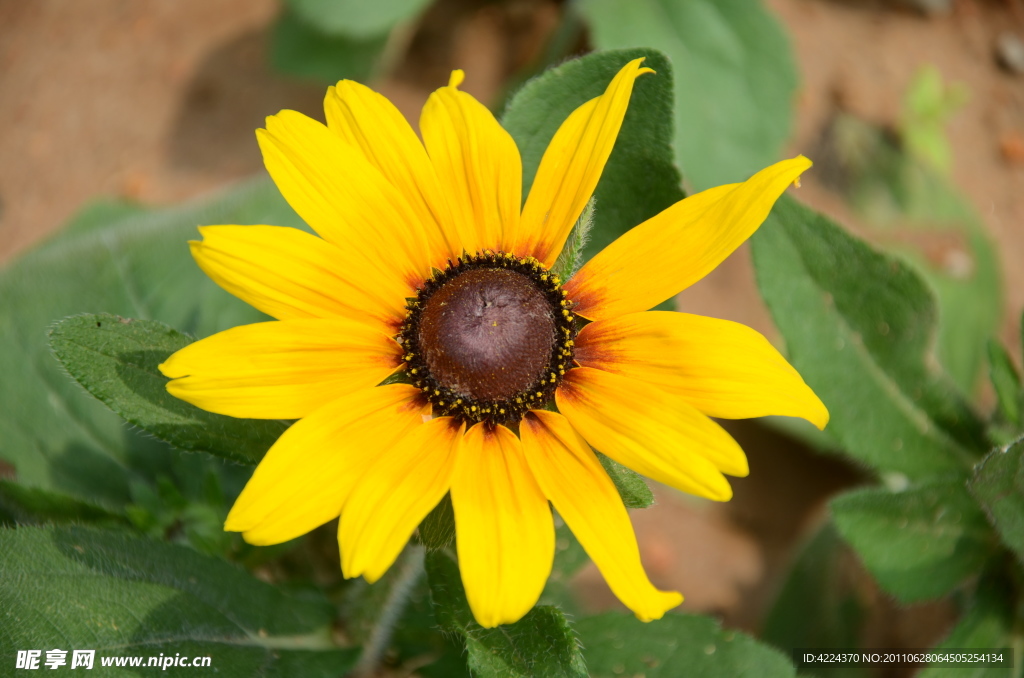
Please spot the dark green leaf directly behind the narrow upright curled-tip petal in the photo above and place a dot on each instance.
(641, 179)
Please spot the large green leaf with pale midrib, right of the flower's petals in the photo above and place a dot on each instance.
(860, 327)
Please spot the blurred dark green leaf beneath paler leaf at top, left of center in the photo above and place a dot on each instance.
(302, 51)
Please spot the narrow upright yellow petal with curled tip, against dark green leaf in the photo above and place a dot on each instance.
(572, 167)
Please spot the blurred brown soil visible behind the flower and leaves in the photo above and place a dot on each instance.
(157, 102)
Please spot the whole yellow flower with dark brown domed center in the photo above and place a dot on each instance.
(425, 264)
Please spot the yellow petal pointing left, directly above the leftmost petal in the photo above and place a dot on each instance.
(289, 274)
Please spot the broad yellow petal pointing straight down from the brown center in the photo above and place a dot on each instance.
(505, 533)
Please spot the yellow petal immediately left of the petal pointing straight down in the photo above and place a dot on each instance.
(394, 497)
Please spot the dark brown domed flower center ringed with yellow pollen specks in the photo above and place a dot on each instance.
(489, 338)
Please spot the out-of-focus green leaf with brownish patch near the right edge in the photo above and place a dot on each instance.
(920, 217)
